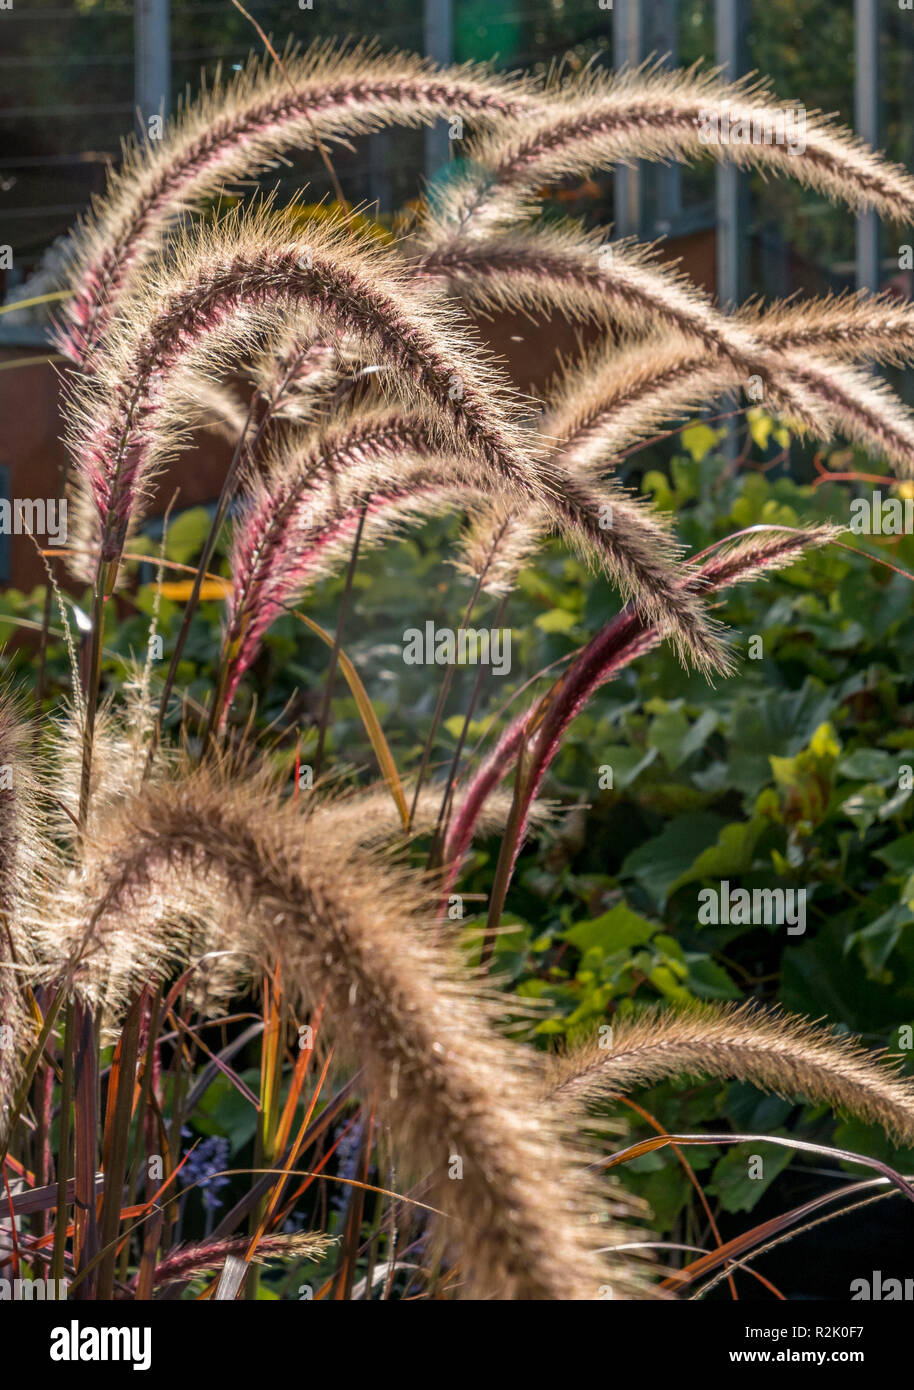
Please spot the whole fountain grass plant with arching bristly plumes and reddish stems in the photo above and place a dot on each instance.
(376, 402)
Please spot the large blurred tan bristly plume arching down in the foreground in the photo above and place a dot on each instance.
(349, 929)
